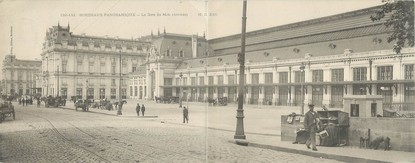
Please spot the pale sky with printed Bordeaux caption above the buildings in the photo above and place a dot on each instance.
(131, 19)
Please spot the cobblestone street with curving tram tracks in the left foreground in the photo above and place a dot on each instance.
(64, 135)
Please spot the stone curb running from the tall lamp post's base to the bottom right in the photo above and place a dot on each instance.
(313, 154)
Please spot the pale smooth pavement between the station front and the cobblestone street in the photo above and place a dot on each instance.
(261, 125)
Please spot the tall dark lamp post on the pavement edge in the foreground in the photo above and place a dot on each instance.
(239, 132)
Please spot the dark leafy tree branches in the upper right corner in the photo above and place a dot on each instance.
(401, 20)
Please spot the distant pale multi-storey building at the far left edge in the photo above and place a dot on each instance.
(20, 76)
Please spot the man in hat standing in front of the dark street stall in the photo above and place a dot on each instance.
(310, 125)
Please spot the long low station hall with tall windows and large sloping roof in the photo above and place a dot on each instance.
(344, 54)
